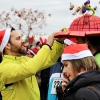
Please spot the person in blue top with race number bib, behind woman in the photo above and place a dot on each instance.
(56, 73)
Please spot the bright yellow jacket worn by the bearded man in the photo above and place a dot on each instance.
(21, 72)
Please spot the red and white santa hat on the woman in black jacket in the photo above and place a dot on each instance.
(76, 51)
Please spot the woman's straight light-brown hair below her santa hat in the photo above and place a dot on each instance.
(87, 63)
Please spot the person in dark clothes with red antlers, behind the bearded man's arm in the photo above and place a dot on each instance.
(44, 74)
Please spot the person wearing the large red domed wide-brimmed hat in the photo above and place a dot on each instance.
(86, 31)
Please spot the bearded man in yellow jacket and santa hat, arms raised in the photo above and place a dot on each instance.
(20, 70)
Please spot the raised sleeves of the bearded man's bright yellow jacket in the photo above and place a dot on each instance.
(23, 67)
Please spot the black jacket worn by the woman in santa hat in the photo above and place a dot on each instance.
(77, 88)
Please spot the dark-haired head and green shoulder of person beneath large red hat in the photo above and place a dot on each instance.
(93, 43)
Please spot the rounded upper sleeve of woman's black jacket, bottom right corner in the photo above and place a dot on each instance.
(86, 94)
